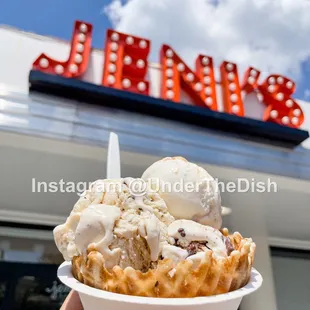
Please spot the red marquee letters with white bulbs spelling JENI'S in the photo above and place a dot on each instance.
(126, 65)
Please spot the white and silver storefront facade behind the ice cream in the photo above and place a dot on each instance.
(48, 136)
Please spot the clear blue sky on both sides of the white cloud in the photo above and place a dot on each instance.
(56, 18)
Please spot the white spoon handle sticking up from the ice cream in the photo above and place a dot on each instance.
(113, 160)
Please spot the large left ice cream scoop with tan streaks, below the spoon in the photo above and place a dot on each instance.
(127, 230)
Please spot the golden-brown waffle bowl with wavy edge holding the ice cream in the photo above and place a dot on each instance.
(169, 280)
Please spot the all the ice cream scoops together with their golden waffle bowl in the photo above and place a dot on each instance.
(156, 244)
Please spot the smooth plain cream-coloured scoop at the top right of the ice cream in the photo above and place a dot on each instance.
(189, 191)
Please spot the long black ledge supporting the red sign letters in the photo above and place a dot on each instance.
(241, 127)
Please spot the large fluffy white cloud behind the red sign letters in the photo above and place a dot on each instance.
(272, 35)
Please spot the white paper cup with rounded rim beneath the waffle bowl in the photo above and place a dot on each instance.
(93, 299)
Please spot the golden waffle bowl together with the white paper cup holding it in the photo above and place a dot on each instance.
(219, 285)
